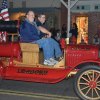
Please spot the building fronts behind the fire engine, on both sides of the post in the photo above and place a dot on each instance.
(86, 13)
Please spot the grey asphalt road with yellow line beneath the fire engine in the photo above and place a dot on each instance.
(18, 90)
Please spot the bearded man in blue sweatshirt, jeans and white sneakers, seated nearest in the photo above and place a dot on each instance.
(30, 32)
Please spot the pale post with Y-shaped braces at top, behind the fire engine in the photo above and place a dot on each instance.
(68, 5)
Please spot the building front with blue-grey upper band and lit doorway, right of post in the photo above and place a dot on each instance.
(86, 13)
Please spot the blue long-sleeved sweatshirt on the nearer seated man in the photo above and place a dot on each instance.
(28, 32)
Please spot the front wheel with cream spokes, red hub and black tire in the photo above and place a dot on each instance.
(87, 83)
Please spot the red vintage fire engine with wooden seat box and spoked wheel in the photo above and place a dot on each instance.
(24, 62)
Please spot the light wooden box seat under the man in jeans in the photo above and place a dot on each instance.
(30, 53)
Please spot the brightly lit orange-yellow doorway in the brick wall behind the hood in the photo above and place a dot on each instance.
(82, 24)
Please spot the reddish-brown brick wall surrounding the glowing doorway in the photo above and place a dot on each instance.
(93, 22)
